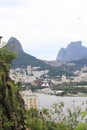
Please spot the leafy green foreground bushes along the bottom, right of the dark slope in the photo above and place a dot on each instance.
(56, 119)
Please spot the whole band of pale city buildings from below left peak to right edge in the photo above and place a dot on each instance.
(35, 76)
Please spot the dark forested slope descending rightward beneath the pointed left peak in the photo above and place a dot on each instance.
(24, 59)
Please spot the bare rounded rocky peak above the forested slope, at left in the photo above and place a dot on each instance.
(14, 44)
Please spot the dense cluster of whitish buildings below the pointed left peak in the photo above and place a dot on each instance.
(28, 75)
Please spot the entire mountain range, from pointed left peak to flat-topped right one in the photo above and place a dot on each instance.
(68, 56)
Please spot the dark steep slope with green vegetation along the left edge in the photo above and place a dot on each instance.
(11, 104)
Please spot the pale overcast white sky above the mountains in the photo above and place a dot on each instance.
(44, 26)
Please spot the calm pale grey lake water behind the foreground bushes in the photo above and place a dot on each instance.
(47, 101)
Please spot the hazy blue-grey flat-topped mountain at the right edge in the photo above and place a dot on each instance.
(74, 51)
